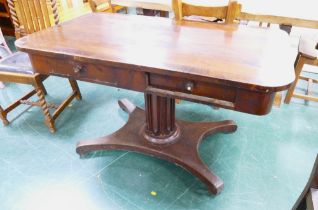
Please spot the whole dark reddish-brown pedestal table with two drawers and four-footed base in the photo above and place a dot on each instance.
(231, 66)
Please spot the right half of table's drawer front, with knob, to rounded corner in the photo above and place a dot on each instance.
(222, 95)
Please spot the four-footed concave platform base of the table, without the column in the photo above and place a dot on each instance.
(183, 151)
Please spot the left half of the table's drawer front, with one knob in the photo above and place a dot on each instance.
(108, 75)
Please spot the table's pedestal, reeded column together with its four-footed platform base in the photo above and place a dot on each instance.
(156, 132)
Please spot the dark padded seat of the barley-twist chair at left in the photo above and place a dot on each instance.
(18, 62)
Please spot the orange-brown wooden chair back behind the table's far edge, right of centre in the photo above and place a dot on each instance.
(228, 13)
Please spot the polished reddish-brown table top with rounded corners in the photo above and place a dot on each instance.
(251, 58)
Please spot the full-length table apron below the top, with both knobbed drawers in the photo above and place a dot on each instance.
(221, 95)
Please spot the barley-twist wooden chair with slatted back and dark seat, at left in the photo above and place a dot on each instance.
(17, 67)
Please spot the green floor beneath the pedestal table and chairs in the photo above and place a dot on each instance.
(264, 165)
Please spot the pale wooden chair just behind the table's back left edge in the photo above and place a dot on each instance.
(105, 6)
